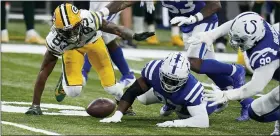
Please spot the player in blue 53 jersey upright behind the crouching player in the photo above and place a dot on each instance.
(195, 17)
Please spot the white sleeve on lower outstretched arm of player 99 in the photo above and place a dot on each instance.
(260, 79)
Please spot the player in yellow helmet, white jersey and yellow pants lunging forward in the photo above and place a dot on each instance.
(74, 33)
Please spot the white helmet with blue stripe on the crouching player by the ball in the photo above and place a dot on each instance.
(174, 72)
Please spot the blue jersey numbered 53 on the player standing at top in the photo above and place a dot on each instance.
(187, 8)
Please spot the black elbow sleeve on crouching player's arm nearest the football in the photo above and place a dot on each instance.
(132, 92)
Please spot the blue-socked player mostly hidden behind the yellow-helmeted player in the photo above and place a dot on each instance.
(114, 50)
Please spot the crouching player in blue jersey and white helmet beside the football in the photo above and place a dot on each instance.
(173, 85)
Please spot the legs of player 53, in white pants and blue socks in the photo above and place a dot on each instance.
(224, 75)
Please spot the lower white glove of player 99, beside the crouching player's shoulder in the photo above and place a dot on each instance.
(217, 96)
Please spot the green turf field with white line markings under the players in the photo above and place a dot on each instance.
(19, 72)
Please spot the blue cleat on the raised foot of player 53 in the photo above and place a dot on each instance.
(239, 76)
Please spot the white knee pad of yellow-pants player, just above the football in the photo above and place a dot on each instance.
(115, 90)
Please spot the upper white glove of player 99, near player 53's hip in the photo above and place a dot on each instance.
(199, 38)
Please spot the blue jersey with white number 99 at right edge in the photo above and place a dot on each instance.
(265, 51)
